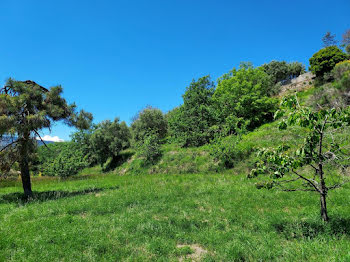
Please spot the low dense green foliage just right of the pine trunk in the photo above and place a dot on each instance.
(61, 159)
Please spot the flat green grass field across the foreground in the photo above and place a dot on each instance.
(207, 217)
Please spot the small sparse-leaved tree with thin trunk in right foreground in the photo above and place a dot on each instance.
(320, 151)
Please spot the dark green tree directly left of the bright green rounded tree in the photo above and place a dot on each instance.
(190, 124)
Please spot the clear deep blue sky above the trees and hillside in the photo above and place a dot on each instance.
(115, 57)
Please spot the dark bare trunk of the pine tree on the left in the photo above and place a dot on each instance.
(24, 166)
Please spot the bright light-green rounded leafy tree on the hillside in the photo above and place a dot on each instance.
(242, 98)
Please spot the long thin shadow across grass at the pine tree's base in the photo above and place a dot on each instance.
(43, 196)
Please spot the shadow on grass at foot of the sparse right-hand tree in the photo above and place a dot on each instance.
(310, 229)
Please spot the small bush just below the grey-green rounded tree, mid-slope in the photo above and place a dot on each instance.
(150, 148)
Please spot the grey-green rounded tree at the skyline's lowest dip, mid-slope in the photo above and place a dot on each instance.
(149, 121)
